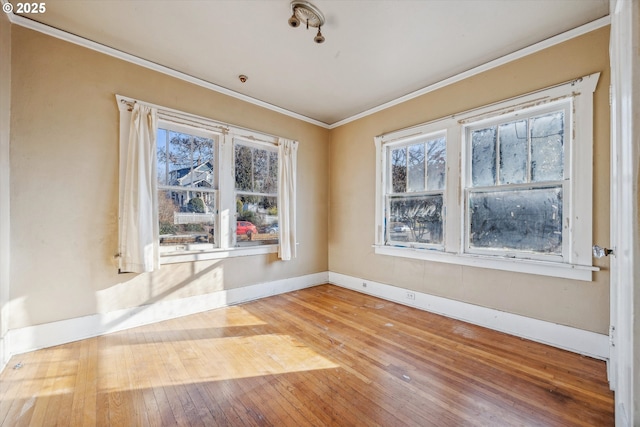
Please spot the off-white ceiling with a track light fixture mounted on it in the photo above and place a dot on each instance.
(375, 51)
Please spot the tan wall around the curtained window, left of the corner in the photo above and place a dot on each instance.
(64, 189)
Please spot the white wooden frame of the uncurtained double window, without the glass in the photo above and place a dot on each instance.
(576, 262)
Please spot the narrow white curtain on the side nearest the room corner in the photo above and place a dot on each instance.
(287, 164)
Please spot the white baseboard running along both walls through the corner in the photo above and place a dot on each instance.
(31, 338)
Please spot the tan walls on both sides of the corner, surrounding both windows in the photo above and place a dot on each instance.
(64, 142)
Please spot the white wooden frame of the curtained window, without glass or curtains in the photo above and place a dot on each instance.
(225, 223)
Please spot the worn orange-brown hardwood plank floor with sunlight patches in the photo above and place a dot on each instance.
(323, 356)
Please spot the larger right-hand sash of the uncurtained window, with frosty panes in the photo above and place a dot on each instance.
(515, 185)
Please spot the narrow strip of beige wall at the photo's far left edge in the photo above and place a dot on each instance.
(5, 115)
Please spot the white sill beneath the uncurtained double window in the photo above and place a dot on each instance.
(543, 268)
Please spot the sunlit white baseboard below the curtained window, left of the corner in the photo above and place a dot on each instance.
(55, 333)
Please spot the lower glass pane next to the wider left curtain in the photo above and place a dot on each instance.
(186, 216)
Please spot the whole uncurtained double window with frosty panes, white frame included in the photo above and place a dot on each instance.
(507, 186)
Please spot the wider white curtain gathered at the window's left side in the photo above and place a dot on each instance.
(139, 248)
